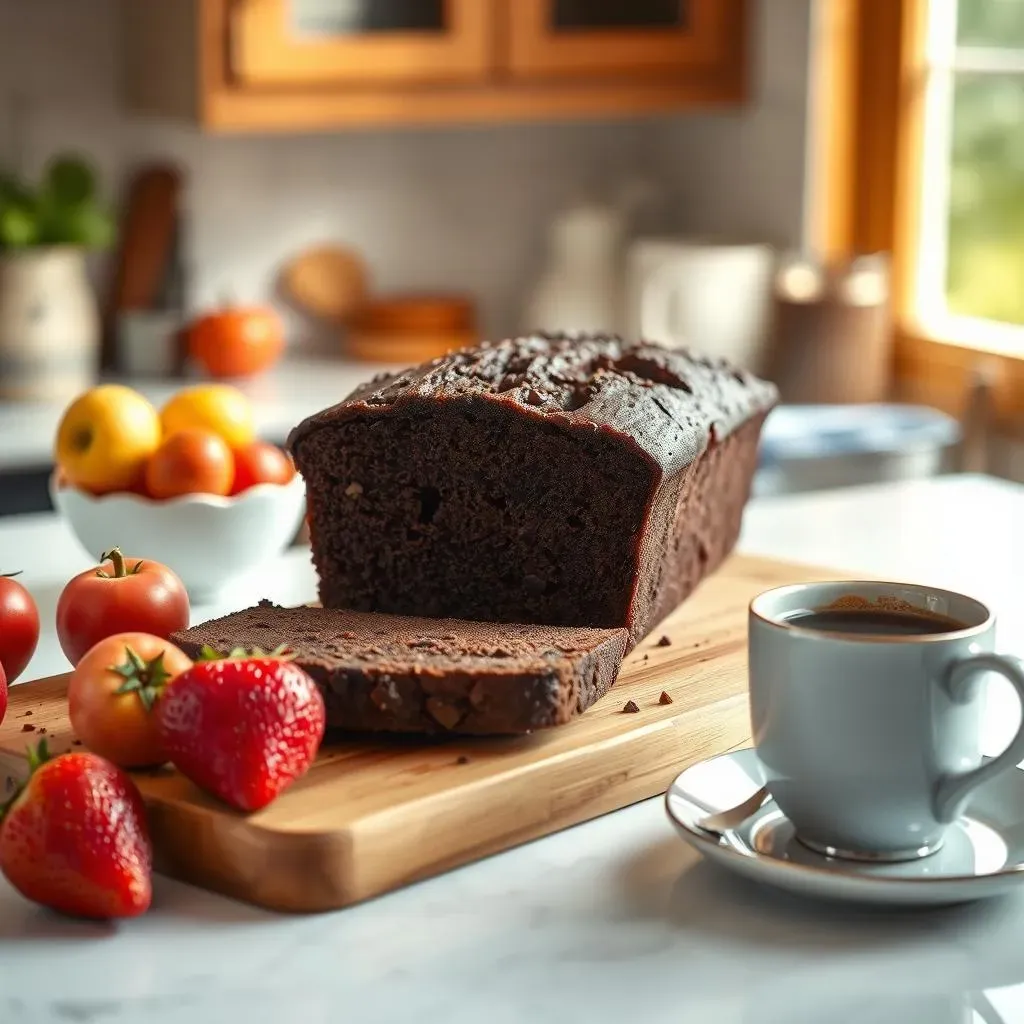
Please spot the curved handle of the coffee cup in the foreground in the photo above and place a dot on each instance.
(961, 684)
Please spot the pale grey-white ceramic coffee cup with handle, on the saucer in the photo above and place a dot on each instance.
(872, 743)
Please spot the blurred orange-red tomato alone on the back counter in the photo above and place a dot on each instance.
(239, 342)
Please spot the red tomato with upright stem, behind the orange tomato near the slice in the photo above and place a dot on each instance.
(122, 595)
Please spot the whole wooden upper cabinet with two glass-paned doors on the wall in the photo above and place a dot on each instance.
(317, 65)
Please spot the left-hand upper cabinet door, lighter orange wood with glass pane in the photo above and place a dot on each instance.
(354, 42)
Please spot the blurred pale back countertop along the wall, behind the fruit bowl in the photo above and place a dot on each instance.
(282, 398)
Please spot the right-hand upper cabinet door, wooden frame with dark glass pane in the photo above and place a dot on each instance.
(577, 38)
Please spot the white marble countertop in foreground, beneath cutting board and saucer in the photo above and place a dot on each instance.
(612, 921)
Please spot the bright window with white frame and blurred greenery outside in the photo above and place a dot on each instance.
(970, 260)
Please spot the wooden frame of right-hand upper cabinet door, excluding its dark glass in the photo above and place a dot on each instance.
(707, 39)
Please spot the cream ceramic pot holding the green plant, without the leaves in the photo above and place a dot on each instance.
(50, 325)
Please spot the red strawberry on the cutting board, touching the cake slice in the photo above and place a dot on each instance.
(243, 728)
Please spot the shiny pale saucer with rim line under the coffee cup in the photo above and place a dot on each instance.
(984, 855)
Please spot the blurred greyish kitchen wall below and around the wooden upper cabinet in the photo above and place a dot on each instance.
(429, 209)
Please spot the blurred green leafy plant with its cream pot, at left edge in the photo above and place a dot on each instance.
(50, 322)
